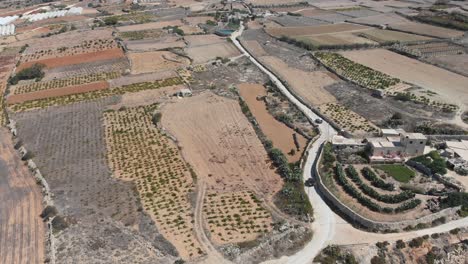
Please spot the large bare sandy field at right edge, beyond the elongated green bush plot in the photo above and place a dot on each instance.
(449, 86)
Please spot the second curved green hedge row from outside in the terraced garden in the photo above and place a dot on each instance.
(366, 189)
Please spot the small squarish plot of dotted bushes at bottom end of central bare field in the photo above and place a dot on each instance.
(235, 217)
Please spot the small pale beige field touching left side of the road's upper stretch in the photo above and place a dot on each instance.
(202, 54)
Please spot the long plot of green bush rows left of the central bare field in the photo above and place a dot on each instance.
(139, 152)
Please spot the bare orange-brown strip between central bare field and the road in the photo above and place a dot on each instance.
(280, 134)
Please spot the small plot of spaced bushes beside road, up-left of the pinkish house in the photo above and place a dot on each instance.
(347, 119)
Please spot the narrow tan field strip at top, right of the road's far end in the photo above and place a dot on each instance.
(314, 30)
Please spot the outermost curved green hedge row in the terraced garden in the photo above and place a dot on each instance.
(367, 202)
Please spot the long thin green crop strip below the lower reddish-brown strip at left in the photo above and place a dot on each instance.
(74, 98)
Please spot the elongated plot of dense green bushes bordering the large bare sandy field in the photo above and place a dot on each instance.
(360, 74)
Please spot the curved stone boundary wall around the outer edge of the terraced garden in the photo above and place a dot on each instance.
(371, 224)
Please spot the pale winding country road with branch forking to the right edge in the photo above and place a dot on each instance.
(327, 223)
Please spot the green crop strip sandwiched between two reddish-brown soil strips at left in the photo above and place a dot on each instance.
(76, 80)
